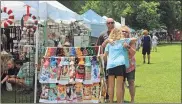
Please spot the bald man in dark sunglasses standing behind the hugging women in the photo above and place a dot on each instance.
(104, 36)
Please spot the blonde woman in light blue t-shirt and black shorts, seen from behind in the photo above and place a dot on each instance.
(117, 62)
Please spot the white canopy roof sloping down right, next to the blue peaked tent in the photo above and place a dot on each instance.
(53, 10)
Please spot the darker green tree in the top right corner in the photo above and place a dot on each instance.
(170, 15)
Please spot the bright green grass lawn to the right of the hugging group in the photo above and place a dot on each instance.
(160, 81)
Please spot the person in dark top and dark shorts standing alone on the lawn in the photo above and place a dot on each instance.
(146, 46)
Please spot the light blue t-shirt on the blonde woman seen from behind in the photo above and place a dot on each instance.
(117, 54)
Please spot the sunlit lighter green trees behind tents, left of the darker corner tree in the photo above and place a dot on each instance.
(138, 14)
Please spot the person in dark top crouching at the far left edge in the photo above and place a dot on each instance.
(12, 71)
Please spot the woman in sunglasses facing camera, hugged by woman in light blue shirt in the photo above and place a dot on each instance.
(130, 72)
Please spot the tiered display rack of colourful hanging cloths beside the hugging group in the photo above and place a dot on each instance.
(71, 74)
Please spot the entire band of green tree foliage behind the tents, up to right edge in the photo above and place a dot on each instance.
(142, 14)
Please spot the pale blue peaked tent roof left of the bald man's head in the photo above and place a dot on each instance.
(93, 17)
